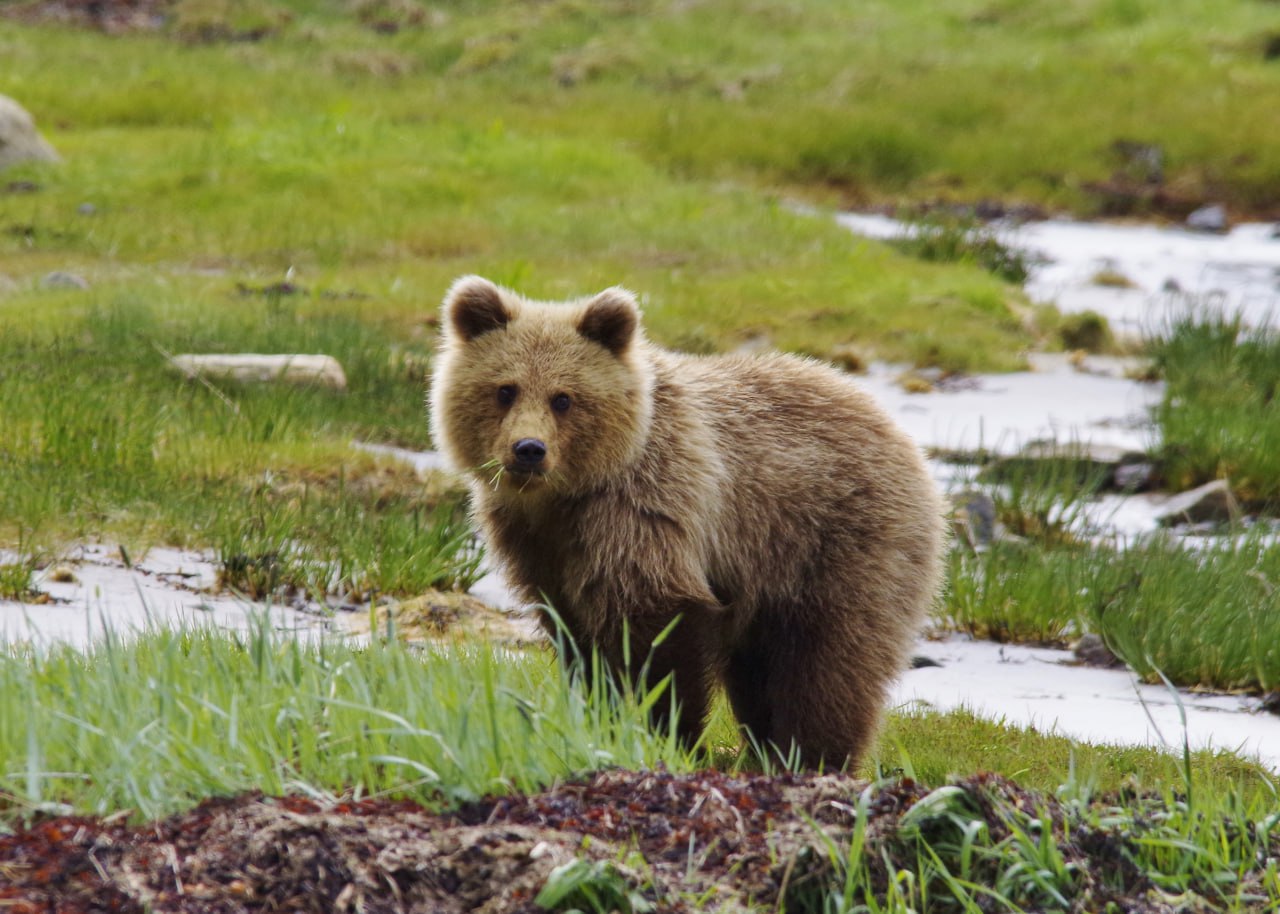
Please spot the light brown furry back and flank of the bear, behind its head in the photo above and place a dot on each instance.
(807, 469)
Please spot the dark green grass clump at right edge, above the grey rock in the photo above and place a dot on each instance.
(1220, 417)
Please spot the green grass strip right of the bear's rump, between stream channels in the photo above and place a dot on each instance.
(1200, 616)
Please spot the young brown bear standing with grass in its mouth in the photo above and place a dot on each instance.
(761, 499)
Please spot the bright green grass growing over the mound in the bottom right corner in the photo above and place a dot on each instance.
(985, 846)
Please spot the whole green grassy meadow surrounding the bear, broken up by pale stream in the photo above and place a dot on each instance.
(310, 177)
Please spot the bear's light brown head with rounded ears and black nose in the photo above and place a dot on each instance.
(533, 399)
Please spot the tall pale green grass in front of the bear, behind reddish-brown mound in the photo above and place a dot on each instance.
(156, 725)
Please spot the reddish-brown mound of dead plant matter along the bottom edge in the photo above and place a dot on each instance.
(669, 843)
